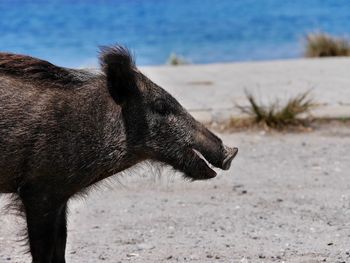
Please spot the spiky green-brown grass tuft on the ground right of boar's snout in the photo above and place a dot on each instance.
(279, 116)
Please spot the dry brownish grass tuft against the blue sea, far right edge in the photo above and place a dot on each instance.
(324, 45)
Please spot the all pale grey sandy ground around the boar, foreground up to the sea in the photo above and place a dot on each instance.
(285, 199)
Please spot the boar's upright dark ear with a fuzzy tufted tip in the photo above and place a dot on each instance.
(119, 68)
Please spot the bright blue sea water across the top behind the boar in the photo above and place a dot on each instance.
(203, 31)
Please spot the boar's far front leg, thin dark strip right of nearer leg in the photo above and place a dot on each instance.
(61, 236)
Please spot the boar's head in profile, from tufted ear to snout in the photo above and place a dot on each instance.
(157, 127)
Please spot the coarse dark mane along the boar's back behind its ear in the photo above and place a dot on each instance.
(40, 71)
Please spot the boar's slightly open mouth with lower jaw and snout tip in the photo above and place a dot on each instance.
(197, 167)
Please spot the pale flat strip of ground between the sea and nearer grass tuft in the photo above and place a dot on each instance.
(211, 92)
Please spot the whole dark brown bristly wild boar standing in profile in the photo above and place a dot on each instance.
(63, 130)
